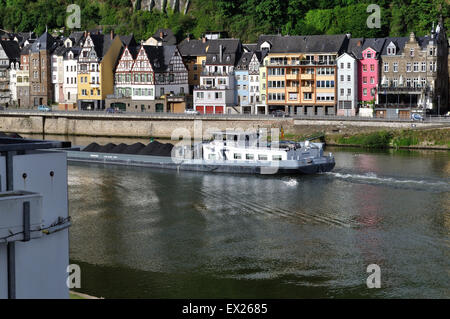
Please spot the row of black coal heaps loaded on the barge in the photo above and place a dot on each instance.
(153, 149)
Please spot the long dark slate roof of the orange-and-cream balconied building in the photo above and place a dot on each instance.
(304, 44)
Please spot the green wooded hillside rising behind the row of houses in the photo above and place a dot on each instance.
(245, 19)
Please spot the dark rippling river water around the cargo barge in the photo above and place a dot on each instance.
(146, 233)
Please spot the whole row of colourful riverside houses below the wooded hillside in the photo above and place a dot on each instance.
(303, 75)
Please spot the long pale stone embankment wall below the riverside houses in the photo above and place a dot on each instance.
(161, 125)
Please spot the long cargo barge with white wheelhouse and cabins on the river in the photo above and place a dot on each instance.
(237, 153)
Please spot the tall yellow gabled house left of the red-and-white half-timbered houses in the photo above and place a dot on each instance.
(96, 65)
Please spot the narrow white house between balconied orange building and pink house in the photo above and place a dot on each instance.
(347, 85)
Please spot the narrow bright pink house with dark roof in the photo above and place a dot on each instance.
(369, 71)
